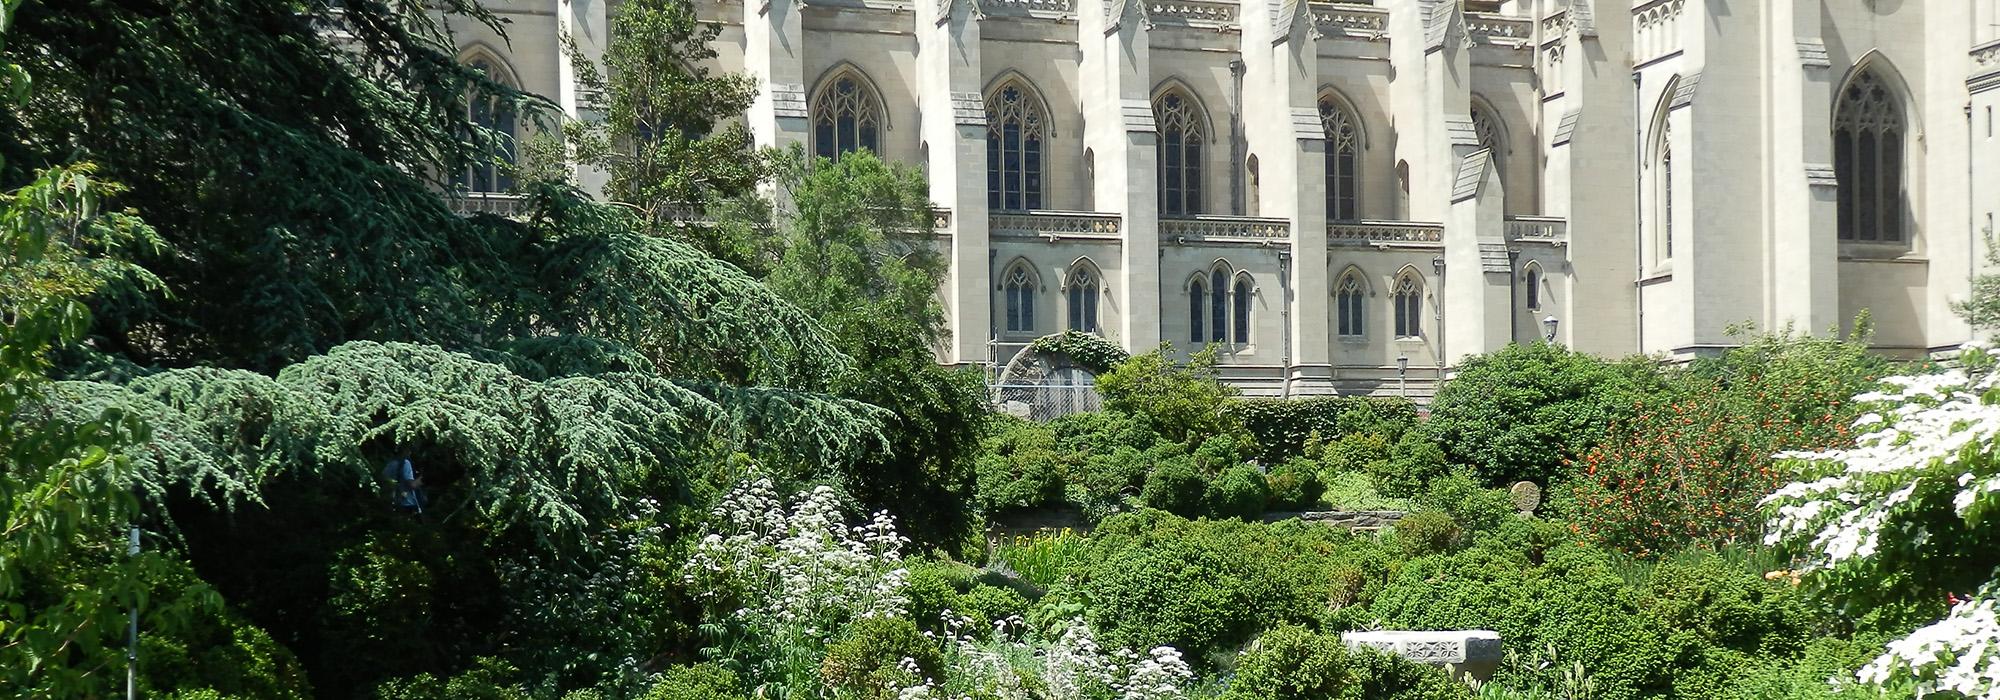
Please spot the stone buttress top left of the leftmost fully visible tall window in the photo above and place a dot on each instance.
(775, 59)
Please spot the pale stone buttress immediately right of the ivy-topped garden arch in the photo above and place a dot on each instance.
(1125, 147)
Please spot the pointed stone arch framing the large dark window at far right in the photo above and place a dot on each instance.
(1873, 143)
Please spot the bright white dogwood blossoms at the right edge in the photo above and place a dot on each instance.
(1927, 437)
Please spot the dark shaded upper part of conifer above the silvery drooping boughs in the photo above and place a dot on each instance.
(291, 169)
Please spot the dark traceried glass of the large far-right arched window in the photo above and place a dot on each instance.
(1869, 133)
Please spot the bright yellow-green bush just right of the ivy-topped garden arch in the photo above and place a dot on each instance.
(1181, 403)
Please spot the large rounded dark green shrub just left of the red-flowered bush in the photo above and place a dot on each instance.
(1525, 411)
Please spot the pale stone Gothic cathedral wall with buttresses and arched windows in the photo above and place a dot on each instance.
(1343, 197)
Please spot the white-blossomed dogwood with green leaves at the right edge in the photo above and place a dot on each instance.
(1909, 513)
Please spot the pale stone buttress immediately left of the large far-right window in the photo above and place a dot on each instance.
(1805, 279)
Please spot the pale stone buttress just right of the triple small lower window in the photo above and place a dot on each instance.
(1281, 77)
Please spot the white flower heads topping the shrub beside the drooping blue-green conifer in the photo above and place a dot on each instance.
(803, 571)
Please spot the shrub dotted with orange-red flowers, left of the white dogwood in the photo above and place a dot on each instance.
(1691, 467)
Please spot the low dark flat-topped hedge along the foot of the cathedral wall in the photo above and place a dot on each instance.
(1285, 427)
